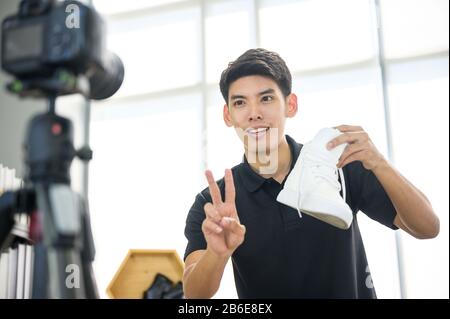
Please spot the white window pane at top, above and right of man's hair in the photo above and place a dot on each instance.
(319, 33)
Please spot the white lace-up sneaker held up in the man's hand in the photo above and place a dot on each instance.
(313, 187)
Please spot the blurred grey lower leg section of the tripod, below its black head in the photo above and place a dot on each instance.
(61, 236)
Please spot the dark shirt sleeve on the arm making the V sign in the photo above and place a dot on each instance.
(193, 228)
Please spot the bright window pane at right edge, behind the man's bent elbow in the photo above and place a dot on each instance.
(420, 126)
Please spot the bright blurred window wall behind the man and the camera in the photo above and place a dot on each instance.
(382, 65)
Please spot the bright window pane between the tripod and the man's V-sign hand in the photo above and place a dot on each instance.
(143, 178)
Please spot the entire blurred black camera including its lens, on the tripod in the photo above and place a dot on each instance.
(48, 35)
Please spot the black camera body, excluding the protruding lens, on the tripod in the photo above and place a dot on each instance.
(37, 43)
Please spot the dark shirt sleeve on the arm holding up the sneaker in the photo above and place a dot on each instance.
(368, 195)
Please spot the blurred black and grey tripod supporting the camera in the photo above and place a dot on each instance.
(59, 218)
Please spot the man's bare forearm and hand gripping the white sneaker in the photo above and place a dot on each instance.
(414, 212)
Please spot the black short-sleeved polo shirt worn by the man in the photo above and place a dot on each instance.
(288, 256)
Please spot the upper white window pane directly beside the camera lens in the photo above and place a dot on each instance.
(158, 54)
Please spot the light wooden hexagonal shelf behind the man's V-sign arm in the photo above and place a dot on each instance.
(138, 270)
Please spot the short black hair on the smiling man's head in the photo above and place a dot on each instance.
(257, 62)
